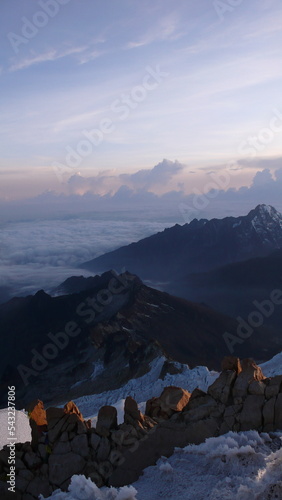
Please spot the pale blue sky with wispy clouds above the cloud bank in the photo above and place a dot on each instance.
(218, 83)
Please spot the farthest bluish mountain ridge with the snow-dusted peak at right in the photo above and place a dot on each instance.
(200, 246)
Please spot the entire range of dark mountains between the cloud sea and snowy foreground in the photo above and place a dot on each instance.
(94, 334)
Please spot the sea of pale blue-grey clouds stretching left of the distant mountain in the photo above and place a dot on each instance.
(41, 254)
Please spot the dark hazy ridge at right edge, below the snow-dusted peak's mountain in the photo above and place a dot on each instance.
(233, 289)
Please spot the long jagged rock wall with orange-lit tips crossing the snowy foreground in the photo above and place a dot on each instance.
(64, 444)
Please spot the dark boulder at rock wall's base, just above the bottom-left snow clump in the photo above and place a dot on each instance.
(63, 467)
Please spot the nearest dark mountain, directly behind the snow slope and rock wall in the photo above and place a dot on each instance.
(123, 326)
